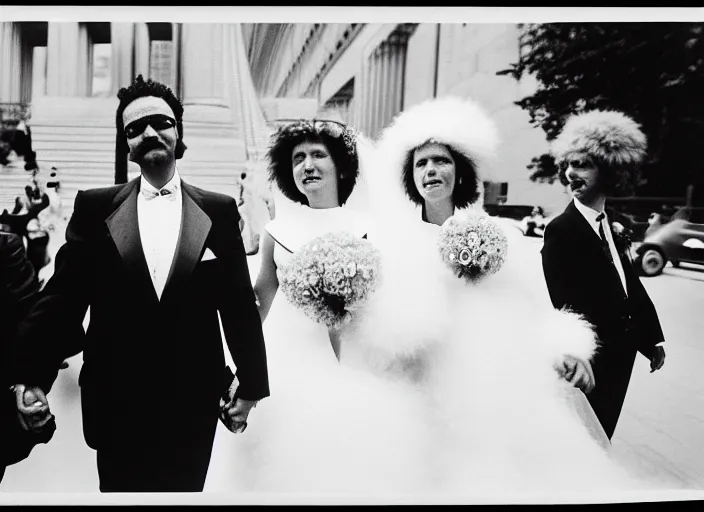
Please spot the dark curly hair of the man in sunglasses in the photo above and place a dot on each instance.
(127, 95)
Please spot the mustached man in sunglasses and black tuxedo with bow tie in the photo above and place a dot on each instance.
(156, 259)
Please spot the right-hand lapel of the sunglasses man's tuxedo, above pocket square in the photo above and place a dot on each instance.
(195, 227)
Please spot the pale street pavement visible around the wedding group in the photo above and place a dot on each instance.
(660, 430)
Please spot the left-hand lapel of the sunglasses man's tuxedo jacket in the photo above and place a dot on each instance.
(124, 229)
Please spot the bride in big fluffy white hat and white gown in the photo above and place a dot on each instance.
(496, 364)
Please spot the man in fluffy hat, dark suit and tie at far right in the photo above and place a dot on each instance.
(586, 265)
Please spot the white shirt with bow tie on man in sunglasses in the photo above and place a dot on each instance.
(159, 221)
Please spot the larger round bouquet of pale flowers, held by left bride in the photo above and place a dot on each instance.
(330, 275)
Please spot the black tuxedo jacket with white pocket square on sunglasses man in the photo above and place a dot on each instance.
(144, 357)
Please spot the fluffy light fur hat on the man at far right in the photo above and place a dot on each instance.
(609, 136)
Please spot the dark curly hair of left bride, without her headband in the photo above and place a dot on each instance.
(281, 167)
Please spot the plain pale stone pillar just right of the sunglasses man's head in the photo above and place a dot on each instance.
(202, 75)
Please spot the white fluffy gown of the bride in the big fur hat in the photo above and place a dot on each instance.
(500, 420)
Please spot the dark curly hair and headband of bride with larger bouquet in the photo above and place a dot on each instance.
(340, 141)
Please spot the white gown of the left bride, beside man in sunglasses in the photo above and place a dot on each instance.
(327, 429)
